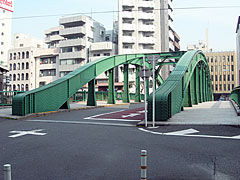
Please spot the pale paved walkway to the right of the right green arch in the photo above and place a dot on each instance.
(208, 113)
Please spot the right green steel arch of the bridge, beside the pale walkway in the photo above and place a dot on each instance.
(188, 84)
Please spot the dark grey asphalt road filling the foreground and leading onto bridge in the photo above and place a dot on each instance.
(73, 149)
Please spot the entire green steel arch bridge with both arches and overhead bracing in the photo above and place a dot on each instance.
(189, 83)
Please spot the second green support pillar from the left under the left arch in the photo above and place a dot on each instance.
(111, 88)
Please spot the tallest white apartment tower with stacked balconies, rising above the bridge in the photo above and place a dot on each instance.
(145, 26)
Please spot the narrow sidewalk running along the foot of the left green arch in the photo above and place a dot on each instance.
(6, 112)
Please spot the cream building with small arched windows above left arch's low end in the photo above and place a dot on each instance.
(28, 61)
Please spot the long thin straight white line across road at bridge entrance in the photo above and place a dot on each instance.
(80, 122)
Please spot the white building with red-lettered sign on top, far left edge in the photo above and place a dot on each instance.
(6, 10)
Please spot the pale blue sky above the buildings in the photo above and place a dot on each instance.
(190, 24)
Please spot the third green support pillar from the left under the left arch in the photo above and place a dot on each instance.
(126, 98)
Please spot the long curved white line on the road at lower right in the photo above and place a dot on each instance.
(190, 135)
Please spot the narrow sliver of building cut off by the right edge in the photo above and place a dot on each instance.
(238, 50)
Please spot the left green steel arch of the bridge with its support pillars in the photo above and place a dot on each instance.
(55, 95)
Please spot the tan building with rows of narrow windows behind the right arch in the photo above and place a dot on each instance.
(223, 71)
